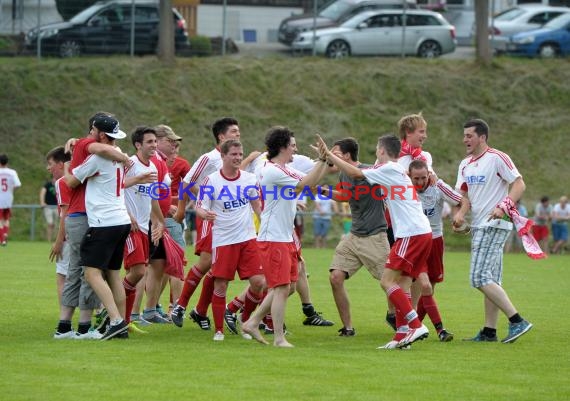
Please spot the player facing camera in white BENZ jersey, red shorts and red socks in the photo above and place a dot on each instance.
(232, 197)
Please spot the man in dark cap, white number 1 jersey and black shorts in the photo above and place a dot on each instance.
(109, 225)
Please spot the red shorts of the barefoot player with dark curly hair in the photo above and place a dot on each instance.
(279, 260)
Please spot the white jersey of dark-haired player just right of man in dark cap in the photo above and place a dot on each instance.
(137, 197)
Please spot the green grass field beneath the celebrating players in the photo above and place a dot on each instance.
(185, 364)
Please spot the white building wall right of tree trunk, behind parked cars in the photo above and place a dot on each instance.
(263, 20)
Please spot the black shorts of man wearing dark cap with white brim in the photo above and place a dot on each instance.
(102, 247)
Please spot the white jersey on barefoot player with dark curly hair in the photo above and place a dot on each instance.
(279, 202)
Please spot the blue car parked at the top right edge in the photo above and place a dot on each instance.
(552, 40)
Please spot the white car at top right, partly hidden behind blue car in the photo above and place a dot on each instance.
(520, 19)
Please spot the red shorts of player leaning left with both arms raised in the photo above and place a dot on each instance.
(409, 254)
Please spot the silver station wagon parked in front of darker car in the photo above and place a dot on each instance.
(427, 34)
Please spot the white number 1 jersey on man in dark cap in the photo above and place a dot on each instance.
(105, 192)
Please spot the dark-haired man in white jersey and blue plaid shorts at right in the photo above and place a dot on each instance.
(488, 177)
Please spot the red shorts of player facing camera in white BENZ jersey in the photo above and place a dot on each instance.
(243, 258)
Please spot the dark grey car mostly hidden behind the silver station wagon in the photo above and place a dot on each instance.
(333, 13)
